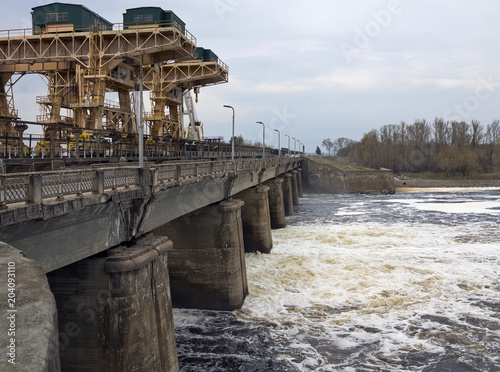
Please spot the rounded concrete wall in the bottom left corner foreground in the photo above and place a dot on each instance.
(29, 333)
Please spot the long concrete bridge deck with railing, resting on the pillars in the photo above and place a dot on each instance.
(58, 218)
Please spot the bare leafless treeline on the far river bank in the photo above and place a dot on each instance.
(452, 147)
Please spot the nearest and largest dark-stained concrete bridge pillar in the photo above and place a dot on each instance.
(115, 312)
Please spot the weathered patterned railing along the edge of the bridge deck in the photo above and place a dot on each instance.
(33, 188)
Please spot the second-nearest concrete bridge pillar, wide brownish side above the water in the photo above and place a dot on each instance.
(207, 264)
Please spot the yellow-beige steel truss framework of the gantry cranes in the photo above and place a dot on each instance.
(81, 67)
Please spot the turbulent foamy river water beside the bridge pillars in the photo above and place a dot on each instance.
(404, 282)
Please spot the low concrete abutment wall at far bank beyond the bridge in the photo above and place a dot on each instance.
(328, 179)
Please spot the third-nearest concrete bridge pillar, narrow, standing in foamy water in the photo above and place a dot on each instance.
(256, 219)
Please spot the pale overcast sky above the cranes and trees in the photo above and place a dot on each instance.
(322, 69)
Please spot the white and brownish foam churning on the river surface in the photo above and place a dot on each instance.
(372, 284)
